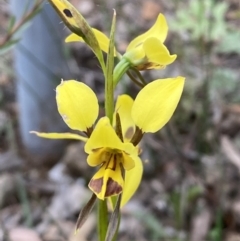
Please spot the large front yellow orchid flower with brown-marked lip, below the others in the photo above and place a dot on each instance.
(116, 154)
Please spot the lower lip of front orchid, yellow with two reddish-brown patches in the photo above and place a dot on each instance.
(107, 182)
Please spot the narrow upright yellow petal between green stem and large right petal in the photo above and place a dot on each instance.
(123, 108)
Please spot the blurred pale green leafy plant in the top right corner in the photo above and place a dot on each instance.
(206, 20)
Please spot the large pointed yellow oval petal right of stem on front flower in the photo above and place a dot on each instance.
(156, 102)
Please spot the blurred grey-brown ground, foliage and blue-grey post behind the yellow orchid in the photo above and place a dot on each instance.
(191, 184)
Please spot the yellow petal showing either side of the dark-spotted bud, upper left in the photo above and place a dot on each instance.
(102, 39)
